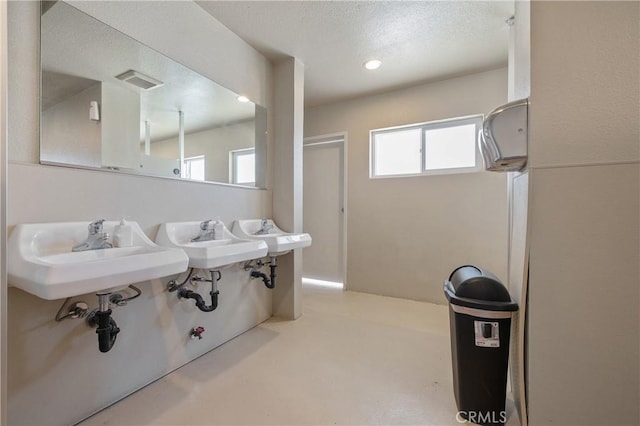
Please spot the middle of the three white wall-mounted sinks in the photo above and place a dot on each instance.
(226, 250)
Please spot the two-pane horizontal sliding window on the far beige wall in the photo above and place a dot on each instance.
(438, 147)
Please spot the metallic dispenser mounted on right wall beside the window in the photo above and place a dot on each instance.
(504, 137)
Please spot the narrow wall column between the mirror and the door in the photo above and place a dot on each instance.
(287, 181)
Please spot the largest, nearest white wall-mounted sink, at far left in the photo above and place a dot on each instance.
(41, 261)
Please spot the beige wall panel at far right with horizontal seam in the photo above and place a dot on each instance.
(584, 216)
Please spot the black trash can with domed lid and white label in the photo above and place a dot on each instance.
(480, 312)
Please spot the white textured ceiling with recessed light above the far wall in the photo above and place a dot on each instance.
(417, 41)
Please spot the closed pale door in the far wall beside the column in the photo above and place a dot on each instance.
(324, 209)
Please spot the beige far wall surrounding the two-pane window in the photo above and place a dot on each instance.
(406, 235)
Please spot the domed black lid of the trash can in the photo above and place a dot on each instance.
(473, 287)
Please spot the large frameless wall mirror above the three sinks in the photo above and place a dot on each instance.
(110, 102)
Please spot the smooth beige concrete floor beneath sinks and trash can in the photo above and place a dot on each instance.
(351, 359)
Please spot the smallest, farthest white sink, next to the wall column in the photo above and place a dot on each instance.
(278, 241)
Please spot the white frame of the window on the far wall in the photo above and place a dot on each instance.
(430, 125)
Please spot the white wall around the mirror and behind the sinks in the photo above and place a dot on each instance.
(57, 366)
